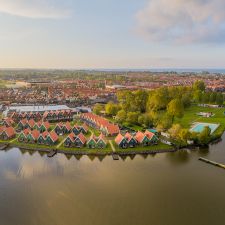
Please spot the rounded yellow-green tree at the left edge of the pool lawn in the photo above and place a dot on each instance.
(175, 108)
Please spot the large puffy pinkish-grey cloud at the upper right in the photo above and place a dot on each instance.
(183, 21)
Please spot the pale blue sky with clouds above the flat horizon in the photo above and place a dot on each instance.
(112, 34)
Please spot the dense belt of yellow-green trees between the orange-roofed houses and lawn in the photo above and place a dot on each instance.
(158, 107)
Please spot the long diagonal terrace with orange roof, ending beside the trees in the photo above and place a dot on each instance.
(100, 123)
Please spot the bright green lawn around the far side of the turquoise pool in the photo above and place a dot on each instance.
(190, 116)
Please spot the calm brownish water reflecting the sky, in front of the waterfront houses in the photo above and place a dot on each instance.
(165, 189)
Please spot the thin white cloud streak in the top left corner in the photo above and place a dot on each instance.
(33, 8)
